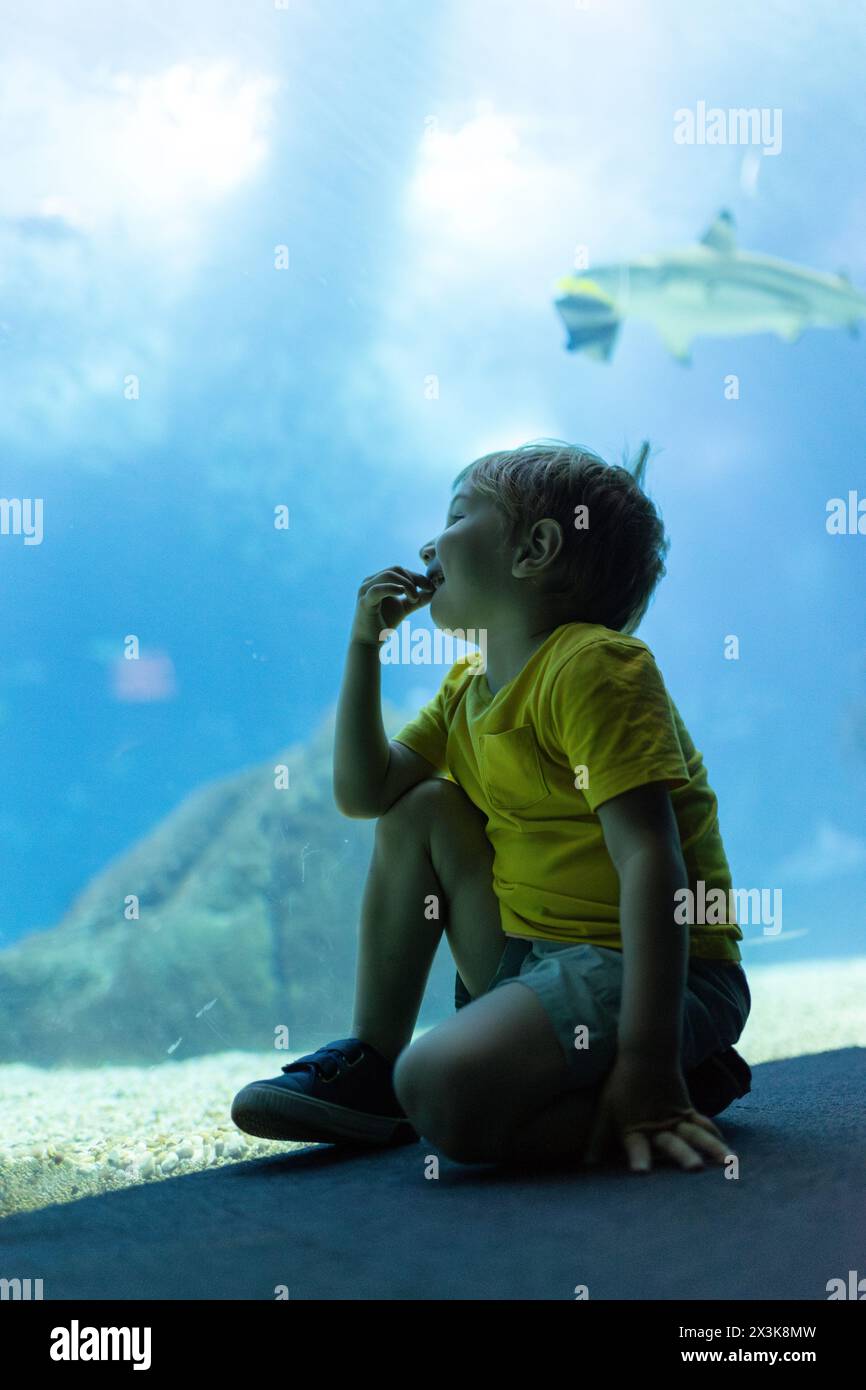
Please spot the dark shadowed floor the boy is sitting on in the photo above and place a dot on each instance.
(330, 1224)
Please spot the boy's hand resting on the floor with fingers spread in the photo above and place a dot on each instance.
(646, 1109)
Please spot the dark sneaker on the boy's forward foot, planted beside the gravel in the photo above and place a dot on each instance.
(343, 1093)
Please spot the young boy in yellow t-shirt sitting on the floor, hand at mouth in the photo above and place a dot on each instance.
(594, 1013)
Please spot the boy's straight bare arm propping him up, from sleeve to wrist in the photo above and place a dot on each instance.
(643, 839)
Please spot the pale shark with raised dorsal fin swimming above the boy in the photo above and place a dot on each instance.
(710, 288)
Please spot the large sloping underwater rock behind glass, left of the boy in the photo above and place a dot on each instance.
(248, 900)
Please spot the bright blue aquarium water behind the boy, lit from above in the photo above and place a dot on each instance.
(430, 170)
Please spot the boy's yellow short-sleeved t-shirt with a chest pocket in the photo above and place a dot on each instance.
(587, 698)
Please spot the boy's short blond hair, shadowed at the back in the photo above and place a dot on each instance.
(614, 566)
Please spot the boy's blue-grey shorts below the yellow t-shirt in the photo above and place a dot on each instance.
(582, 989)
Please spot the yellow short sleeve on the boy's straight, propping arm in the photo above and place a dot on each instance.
(611, 714)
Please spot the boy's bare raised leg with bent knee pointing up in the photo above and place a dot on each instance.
(430, 847)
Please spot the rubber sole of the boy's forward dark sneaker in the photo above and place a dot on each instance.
(269, 1113)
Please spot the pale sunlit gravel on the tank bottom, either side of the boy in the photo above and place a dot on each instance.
(74, 1132)
